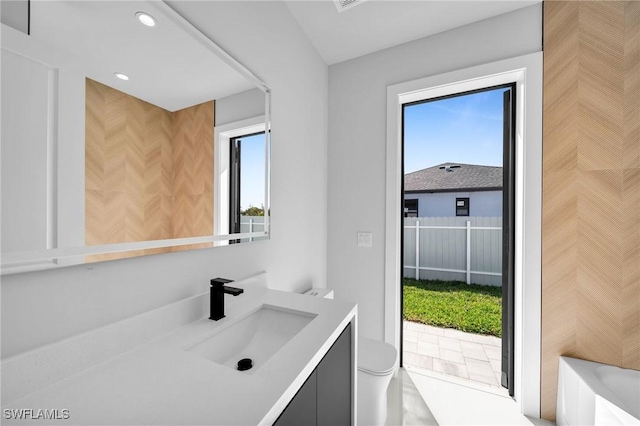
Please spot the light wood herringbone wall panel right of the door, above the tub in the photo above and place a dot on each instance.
(591, 187)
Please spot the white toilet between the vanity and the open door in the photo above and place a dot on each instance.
(376, 364)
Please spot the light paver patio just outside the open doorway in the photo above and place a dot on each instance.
(469, 356)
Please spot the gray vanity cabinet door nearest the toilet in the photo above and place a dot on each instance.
(334, 383)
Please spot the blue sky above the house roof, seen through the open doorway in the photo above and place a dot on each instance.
(464, 129)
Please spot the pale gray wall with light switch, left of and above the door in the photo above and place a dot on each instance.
(357, 142)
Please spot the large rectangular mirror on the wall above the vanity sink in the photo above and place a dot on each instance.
(126, 132)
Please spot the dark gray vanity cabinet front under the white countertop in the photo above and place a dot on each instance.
(325, 398)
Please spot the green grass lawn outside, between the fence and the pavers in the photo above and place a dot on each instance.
(454, 304)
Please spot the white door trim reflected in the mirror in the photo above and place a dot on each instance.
(223, 135)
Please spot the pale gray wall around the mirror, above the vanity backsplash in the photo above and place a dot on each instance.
(43, 307)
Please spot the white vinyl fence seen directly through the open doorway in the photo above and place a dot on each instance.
(465, 249)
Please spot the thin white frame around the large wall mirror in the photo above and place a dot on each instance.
(52, 258)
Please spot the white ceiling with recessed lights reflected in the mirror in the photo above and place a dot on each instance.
(166, 65)
